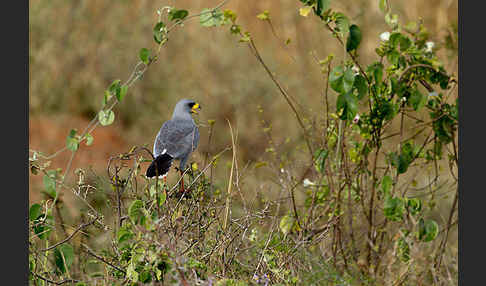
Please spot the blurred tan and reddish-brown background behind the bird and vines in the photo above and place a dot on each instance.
(77, 48)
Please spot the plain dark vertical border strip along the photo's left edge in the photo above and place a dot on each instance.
(15, 141)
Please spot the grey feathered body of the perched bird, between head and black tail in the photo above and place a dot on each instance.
(176, 138)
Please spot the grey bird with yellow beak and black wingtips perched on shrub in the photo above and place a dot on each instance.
(176, 140)
